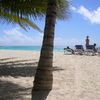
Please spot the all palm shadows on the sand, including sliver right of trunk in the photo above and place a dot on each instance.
(19, 68)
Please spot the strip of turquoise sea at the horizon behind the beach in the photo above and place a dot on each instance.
(29, 48)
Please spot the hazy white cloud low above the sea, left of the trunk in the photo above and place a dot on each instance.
(15, 37)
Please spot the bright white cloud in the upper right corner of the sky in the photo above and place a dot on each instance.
(92, 16)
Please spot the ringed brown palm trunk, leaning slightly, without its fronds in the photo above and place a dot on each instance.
(44, 77)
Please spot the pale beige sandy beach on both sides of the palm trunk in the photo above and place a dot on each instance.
(76, 77)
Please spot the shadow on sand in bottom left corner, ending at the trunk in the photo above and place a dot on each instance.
(11, 91)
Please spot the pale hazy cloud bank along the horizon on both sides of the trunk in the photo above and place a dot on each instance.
(16, 37)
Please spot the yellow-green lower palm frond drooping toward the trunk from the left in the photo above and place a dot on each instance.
(23, 22)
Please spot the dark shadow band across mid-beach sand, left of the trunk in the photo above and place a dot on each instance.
(17, 68)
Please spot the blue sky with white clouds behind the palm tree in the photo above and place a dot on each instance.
(84, 20)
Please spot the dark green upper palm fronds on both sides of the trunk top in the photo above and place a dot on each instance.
(34, 8)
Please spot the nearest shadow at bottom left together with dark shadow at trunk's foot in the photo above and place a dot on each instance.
(11, 91)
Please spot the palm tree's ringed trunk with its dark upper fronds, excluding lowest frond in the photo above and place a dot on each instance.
(34, 8)
